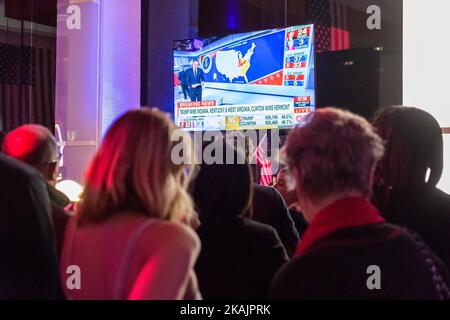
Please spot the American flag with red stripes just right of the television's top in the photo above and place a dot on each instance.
(331, 24)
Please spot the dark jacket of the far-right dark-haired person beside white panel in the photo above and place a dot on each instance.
(428, 214)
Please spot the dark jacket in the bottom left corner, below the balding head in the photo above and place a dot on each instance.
(29, 268)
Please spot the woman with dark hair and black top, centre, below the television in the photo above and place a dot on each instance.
(239, 256)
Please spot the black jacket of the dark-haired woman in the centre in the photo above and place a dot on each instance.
(238, 259)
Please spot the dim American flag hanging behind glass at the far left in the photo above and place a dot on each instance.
(27, 86)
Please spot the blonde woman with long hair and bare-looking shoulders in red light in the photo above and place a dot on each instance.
(128, 240)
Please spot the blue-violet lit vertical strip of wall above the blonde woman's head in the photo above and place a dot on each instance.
(120, 59)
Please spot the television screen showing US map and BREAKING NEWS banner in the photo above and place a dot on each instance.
(256, 80)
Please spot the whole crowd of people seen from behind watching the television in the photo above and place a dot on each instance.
(355, 214)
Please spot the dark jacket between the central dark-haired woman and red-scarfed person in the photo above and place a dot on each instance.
(270, 208)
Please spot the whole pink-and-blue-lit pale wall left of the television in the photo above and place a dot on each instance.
(97, 75)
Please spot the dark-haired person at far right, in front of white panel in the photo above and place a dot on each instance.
(406, 178)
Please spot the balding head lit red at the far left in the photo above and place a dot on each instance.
(34, 145)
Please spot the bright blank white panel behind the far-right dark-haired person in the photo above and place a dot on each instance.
(426, 64)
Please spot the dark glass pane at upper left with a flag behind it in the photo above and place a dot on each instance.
(27, 63)
